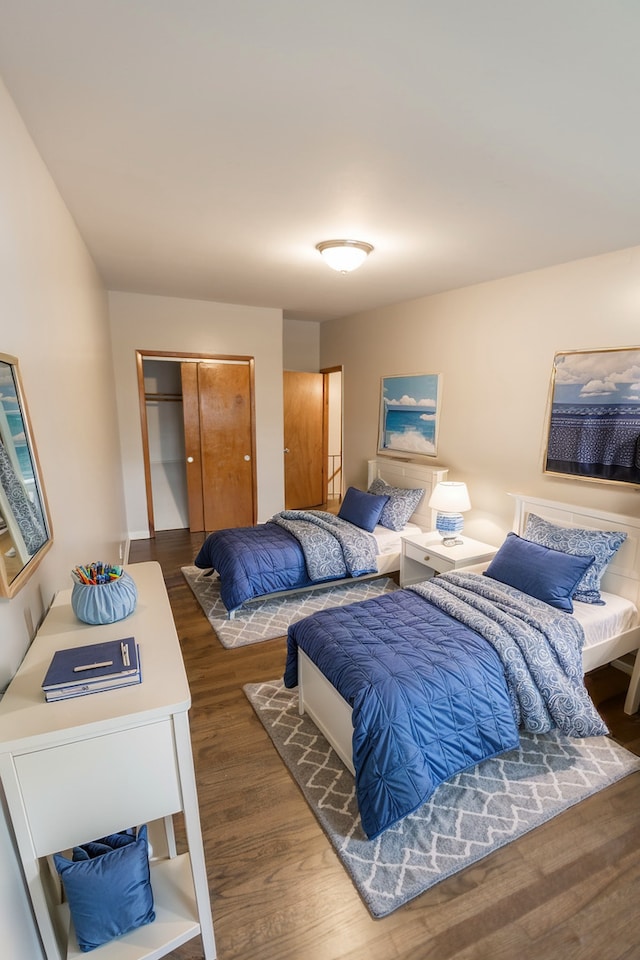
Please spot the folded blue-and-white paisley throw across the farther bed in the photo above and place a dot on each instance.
(332, 547)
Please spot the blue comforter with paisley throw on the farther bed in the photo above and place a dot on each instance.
(294, 549)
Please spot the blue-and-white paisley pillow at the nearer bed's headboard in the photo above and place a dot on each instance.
(600, 544)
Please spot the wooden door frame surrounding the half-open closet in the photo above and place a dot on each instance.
(141, 356)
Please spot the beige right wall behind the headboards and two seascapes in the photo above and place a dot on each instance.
(494, 345)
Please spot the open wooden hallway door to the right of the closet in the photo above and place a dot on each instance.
(305, 472)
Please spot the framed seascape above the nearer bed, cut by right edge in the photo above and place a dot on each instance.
(594, 415)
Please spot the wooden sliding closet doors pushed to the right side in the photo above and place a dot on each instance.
(219, 441)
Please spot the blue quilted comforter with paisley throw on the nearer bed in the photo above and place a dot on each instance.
(429, 692)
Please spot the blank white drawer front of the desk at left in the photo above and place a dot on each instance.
(88, 789)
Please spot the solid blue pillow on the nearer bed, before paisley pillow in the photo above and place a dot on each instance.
(547, 574)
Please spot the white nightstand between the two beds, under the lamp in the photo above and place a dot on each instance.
(423, 554)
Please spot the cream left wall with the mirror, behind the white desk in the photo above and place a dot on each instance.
(53, 318)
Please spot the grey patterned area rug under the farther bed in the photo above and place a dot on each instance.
(266, 619)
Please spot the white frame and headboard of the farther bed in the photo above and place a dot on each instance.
(396, 473)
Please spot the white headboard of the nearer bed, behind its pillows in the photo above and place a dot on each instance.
(622, 575)
